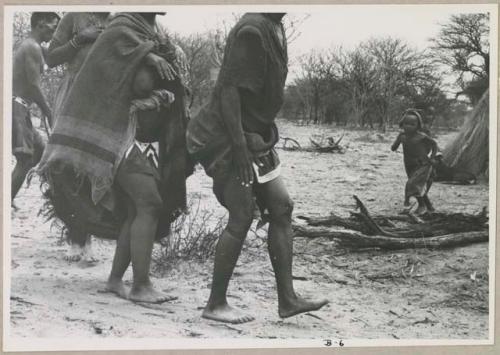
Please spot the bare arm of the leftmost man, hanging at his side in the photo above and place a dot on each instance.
(33, 63)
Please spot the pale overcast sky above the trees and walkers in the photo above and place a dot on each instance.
(337, 25)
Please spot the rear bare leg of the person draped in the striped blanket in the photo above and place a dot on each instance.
(121, 260)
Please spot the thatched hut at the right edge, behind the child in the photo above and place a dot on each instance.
(468, 152)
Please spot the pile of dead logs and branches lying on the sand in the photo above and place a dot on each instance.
(436, 230)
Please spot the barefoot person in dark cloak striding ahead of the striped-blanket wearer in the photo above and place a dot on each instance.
(233, 137)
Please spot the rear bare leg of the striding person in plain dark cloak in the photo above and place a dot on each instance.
(239, 201)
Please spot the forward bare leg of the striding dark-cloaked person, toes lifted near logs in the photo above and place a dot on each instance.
(280, 246)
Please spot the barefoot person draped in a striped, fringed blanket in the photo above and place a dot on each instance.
(97, 173)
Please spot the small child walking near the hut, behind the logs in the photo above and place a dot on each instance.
(419, 158)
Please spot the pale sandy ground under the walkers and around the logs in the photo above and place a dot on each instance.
(416, 293)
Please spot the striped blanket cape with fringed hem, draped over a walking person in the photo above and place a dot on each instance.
(94, 130)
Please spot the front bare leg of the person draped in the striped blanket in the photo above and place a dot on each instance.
(142, 190)
